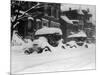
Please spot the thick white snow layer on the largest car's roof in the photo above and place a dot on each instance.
(48, 30)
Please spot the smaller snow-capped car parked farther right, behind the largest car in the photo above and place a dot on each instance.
(78, 40)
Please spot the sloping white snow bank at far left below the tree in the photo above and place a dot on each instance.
(18, 43)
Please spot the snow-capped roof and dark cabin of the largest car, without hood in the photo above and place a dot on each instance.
(53, 35)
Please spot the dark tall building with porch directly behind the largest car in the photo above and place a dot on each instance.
(48, 14)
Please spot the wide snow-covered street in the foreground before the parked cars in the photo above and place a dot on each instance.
(57, 60)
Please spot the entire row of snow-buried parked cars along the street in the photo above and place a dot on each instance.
(48, 38)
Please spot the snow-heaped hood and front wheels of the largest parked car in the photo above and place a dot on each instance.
(38, 45)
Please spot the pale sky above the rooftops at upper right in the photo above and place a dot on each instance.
(92, 9)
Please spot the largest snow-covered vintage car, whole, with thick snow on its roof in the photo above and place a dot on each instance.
(45, 39)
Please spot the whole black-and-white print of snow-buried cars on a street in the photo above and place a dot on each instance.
(52, 37)
